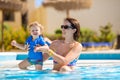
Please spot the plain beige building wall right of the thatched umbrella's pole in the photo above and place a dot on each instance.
(100, 13)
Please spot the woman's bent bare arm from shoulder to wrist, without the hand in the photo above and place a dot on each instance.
(72, 54)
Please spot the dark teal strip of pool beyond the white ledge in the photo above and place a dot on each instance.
(86, 56)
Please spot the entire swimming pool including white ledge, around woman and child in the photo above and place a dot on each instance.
(91, 66)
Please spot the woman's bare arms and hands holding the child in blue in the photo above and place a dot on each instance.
(72, 54)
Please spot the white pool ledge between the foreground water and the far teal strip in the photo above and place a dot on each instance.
(49, 64)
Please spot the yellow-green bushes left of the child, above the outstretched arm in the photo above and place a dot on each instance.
(11, 34)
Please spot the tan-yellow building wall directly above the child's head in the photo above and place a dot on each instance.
(36, 14)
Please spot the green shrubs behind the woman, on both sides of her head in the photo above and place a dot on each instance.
(88, 35)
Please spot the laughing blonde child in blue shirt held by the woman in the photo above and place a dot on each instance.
(35, 39)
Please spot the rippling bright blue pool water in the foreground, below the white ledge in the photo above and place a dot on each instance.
(81, 73)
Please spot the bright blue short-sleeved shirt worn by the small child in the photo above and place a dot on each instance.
(32, 43)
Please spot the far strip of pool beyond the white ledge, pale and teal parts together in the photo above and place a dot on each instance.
(83, 56)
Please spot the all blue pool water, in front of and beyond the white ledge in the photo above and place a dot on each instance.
(81, 73)
